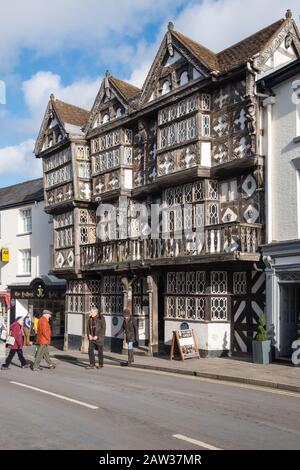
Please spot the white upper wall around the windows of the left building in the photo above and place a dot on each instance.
(38, 241)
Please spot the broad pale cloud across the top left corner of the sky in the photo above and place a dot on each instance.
(47, 27)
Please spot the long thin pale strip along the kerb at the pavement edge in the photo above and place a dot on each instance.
(228, 383)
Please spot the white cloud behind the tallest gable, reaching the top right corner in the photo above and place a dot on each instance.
(216, 24)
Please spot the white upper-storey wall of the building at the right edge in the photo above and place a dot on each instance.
(283, 176)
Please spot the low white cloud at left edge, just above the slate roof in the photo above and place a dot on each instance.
(20, 159)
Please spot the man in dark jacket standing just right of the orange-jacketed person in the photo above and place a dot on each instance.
(96, 333)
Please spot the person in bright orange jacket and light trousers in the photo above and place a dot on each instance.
(43, 341)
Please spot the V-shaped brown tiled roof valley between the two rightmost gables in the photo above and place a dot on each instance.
(234, 55)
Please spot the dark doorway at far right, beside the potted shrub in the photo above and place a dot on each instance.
(289, 314)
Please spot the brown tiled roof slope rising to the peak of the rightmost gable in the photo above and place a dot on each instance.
(244, 50)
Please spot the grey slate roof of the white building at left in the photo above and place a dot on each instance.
(22, 193)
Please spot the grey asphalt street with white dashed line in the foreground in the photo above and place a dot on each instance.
(123, 408)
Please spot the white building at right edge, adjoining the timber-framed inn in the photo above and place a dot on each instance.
(281, 146)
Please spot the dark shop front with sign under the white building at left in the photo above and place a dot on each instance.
(40, 294)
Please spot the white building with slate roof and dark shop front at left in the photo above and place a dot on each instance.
(26, 255)
